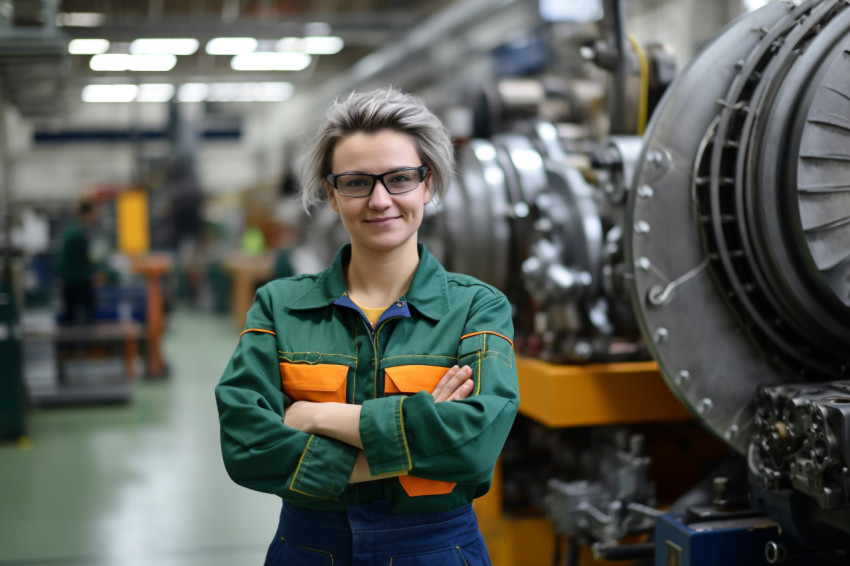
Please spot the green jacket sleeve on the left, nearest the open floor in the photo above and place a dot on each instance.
(259, 451)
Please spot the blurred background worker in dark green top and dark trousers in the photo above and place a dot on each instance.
(76, 269)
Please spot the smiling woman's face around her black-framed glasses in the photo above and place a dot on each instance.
(381, 221)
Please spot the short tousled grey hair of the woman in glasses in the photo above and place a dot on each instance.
(371, 112)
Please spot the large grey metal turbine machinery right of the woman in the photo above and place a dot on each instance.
(717, 244)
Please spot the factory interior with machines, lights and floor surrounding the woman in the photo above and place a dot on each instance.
(661, 188)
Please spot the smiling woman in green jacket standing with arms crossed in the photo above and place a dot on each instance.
(373, 397)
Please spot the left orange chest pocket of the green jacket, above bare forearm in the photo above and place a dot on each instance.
(314, 382)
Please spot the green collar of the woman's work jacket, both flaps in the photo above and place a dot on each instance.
(428, 291)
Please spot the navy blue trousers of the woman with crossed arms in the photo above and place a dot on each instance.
(367, 535)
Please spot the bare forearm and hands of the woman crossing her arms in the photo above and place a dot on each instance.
(342, 421)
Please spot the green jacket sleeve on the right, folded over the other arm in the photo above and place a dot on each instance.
(457, 441)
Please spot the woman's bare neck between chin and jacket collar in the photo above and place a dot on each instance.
(376, 279)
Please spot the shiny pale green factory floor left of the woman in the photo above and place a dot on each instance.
(140, 483)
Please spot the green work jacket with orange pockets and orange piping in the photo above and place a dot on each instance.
(306, 340)
